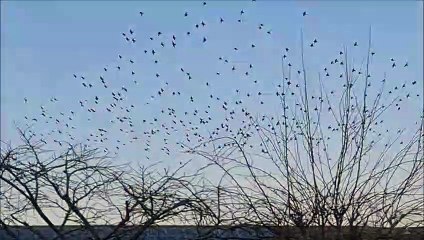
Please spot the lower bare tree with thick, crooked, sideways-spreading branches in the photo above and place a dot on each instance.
(81, 192)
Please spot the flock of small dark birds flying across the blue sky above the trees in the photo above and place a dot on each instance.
(177, 118)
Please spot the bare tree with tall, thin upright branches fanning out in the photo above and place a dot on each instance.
(328, 159)
